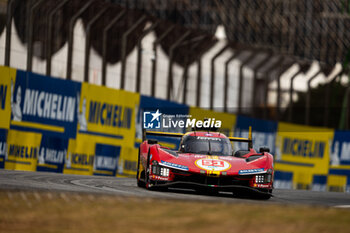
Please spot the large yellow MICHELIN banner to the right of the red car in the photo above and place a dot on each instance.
(303, 150)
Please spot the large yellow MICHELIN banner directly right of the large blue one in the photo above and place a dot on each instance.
(106, 112)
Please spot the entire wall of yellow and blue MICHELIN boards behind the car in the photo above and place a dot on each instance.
(56, 125)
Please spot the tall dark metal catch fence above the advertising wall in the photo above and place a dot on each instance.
(284, 33)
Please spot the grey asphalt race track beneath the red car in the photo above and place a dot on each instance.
(42, 181)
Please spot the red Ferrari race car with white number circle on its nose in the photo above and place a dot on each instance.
(205, 161)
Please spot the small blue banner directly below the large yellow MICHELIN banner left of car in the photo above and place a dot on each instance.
(106, 159)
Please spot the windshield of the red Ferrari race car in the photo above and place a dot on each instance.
(206, 145)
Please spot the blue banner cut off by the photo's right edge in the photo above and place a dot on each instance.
(340, 152)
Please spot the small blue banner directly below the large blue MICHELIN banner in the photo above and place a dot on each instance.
(52, 154)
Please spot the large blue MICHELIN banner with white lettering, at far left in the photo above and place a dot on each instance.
(45, 105)
